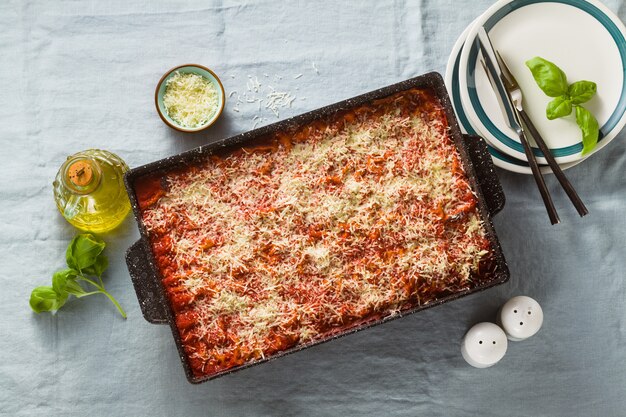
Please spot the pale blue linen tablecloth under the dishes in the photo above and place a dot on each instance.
(81, 74)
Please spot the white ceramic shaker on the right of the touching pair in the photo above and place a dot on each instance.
(520, 318)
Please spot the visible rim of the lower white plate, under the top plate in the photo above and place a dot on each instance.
(451, 79)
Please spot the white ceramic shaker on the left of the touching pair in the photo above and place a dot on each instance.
(484, 345)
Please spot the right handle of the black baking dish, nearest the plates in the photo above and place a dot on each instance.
(485, 172)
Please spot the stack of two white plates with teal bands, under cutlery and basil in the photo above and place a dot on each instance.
(583, 37)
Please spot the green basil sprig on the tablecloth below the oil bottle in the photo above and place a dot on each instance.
(84, 258)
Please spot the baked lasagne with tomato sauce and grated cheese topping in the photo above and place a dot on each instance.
(316, 230)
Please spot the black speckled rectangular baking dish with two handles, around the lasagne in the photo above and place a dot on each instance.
(473, 153)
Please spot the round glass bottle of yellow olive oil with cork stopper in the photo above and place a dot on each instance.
(89, 190)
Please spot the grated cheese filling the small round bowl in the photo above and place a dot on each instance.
(190, 100)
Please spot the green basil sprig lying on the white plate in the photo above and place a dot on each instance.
(553, 82)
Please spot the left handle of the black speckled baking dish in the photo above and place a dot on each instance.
(145, 283)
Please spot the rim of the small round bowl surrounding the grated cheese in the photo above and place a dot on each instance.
(194, 69)
